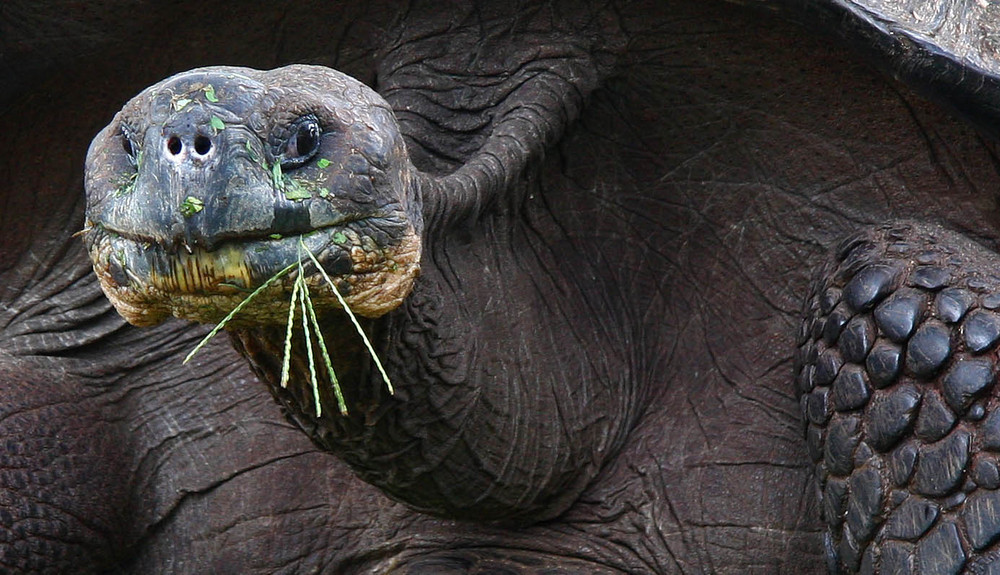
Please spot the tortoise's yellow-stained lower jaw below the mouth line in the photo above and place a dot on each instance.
(148, 282)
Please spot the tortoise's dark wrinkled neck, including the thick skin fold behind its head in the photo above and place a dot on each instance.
(512, 367)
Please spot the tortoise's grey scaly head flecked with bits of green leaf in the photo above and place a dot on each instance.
(210, 182)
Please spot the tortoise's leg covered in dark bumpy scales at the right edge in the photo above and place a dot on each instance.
(896, 373)
